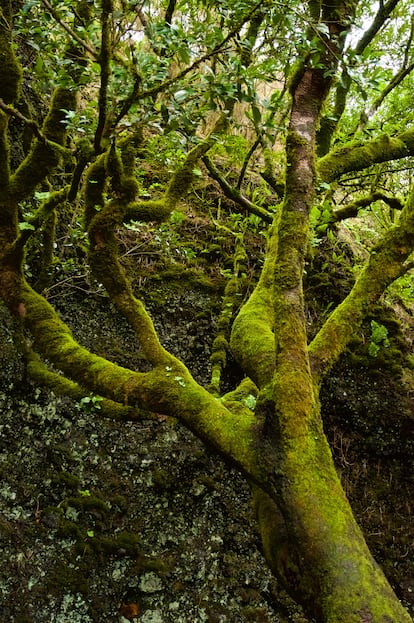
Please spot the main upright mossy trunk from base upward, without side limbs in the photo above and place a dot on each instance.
(322, 557)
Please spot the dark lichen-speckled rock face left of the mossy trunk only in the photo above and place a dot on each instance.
(111, 522)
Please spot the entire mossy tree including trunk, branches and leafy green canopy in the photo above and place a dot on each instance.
(149, 69)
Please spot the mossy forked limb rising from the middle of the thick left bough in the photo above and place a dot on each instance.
(102, 225)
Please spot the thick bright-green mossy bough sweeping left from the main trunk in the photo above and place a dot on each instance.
(167, 389)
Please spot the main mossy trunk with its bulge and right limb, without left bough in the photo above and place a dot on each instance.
(310, 536)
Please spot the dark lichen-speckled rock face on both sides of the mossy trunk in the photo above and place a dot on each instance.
(114, 522)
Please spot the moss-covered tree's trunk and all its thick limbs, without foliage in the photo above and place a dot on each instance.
(310, 537)
